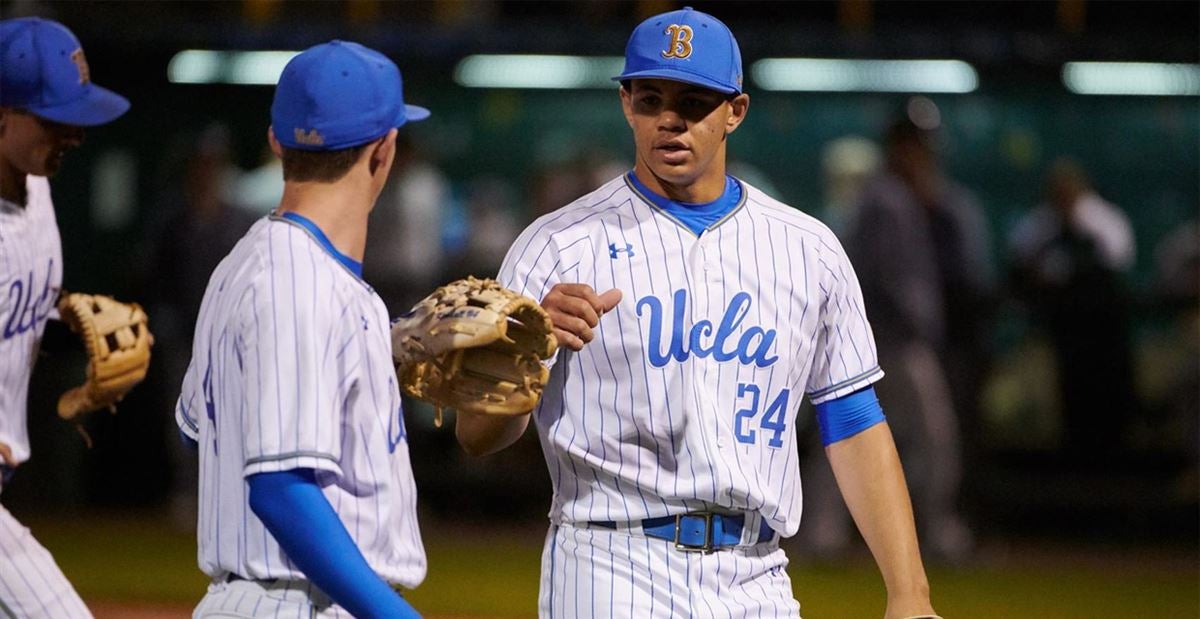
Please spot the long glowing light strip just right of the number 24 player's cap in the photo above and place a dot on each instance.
(820, 75)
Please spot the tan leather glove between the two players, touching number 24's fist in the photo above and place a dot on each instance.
(475, 346)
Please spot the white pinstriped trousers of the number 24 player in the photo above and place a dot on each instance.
(607, 574)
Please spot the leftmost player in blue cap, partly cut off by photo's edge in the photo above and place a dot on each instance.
(46, 101)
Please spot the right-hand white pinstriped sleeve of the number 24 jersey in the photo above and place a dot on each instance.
(845, 359)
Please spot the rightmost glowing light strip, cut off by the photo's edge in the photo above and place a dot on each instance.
(1132, 79)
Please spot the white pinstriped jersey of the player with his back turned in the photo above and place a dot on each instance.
(292, 369)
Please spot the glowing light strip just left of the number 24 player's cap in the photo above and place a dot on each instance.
(530, 71)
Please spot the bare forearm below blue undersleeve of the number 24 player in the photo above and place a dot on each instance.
(869, 476)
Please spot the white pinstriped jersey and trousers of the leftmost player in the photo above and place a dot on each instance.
(31, 279)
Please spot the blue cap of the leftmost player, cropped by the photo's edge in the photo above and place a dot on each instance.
(44, 71)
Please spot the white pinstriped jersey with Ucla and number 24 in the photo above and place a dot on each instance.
(687, 398)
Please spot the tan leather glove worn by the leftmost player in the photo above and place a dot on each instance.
(118, 344)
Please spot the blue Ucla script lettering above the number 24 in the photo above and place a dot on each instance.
(753, 347)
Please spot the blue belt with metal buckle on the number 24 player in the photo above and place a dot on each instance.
(697, 532)
